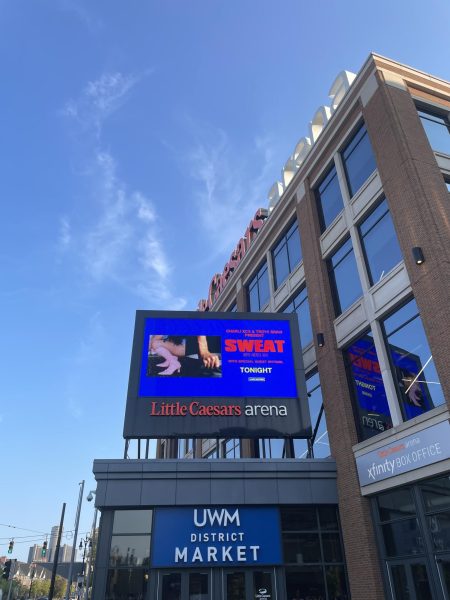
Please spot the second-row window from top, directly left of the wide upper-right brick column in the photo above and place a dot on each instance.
(379, 241)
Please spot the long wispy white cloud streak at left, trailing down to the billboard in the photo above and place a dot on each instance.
(124, 243)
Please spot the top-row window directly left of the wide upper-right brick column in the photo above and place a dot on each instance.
(358, 160)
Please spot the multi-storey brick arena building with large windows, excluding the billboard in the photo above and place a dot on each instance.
(356, 240)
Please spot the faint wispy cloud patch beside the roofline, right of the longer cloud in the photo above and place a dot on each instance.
(229, 188)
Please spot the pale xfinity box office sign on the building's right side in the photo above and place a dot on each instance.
(426, 447)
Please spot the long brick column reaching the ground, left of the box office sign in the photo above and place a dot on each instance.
(357, 529)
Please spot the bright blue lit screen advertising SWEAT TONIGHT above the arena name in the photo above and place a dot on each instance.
(217, 358)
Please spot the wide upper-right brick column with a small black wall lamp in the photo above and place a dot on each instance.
(420, 206)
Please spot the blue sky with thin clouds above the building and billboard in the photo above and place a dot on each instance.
(137, 140)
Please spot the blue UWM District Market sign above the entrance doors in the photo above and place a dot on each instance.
(216, 536)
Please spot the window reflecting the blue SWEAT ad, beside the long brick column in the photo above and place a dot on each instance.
(371, 406)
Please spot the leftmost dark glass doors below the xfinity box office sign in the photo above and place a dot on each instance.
(409, 580)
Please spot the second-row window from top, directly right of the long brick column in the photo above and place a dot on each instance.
(344, 277)
